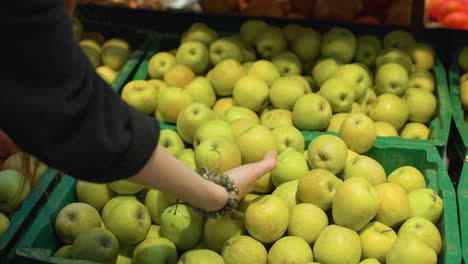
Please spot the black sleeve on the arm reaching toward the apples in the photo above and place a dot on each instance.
(55, 106)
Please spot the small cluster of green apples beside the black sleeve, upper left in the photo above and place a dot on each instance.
(107, 56)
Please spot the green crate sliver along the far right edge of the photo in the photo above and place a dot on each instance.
(460, 143)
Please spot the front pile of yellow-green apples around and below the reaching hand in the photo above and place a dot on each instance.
(326, 204)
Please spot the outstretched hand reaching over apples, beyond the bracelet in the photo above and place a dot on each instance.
(246, 175)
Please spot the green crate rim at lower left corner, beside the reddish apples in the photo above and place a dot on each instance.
(24, 216)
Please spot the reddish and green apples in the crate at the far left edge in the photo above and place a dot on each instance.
(15, 187)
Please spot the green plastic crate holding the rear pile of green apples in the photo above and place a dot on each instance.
(439, 127)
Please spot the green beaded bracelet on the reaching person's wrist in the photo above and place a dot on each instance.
(226, 182)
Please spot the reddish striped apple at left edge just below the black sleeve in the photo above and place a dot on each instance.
(18, 161)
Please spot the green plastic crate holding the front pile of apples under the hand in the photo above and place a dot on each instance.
(40, 240)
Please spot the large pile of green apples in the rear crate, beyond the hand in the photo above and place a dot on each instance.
(292, 76)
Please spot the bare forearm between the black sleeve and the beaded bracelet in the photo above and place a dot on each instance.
(167, 174)
